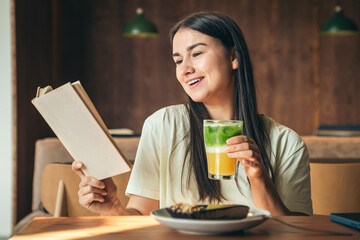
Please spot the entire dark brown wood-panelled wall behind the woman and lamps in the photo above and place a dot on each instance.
(303, 79)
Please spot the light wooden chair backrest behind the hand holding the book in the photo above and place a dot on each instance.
(54, 173)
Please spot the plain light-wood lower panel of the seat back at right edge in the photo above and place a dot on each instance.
(335, 187)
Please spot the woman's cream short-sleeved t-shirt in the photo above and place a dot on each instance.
(157, 172)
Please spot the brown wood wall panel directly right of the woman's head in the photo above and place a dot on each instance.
(279, 37)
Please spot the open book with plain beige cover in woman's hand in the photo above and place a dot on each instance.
(72, 116)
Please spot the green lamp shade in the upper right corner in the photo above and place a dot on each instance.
(339, 24)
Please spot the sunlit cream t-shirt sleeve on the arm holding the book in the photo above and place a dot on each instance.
(144, 178)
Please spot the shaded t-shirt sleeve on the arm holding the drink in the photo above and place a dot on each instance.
(292, 178)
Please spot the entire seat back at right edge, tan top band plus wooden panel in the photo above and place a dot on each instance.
(335, 173)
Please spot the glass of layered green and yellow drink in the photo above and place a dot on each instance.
(216, 132)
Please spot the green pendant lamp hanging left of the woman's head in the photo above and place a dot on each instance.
(140, 26)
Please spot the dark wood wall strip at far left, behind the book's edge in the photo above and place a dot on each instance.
(33, 63)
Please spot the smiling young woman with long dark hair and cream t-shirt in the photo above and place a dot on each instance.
(214, 68)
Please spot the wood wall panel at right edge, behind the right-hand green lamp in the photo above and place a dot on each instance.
(339, 70)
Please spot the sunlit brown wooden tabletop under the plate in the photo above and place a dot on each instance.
(147, 228)
